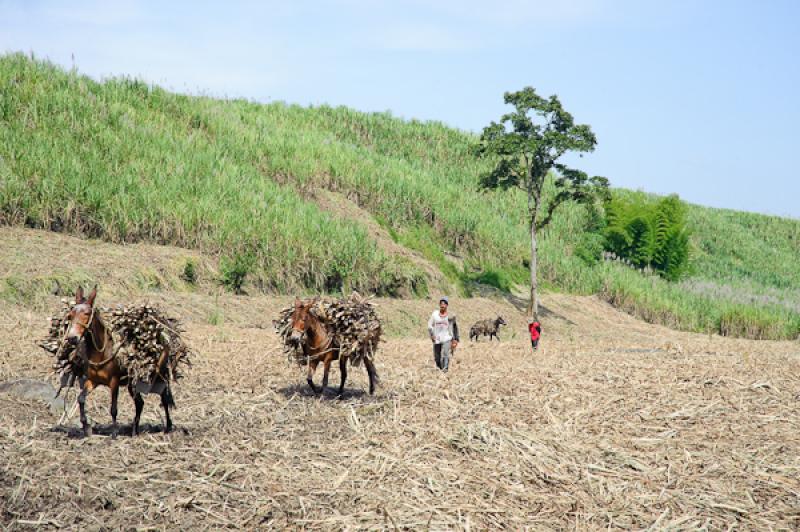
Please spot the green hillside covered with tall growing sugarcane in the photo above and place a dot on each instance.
(126, 162)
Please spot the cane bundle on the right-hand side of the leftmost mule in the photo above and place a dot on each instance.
(149, 343)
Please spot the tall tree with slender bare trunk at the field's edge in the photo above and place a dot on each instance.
(527, 143)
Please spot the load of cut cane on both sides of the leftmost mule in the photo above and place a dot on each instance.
(141, 335)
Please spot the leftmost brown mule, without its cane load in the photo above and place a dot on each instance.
(91, 337)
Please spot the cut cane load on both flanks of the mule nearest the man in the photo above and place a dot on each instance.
(352, 322)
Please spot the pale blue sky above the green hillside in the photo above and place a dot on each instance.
(694, 97)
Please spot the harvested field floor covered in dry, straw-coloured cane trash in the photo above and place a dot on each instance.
(614, 423)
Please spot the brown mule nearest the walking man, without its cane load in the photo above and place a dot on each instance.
(318, 346)
